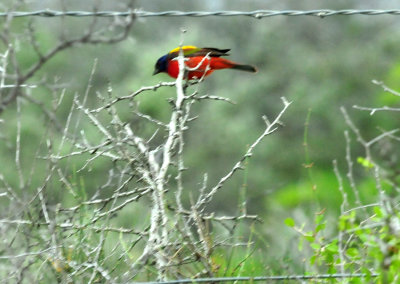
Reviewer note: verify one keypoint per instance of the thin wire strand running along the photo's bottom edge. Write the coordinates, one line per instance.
(264, 278)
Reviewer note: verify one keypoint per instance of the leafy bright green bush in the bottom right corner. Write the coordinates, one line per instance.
(368, 245)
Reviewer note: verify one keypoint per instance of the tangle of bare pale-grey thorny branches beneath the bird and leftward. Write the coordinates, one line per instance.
(79, 238)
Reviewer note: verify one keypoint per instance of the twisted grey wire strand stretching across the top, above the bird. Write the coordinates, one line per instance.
(258, 14)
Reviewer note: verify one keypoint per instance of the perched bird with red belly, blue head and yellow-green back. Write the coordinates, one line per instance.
(200, 62)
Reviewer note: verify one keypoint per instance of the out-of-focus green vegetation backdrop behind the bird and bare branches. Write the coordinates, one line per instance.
(318, 64)
